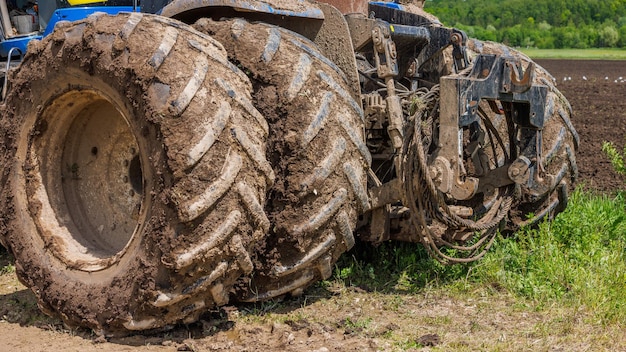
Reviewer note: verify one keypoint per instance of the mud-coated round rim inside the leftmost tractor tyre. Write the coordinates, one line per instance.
(91, 171)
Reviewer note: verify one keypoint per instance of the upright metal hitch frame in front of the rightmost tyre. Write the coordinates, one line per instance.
(492, 78)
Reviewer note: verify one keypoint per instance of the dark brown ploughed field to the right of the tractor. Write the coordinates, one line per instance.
(599, 115)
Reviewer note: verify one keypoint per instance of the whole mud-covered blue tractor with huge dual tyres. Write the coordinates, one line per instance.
(165, 158)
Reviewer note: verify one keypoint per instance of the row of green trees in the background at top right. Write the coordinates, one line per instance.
(545, 24)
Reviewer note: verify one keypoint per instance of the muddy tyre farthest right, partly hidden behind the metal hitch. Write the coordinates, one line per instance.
(560, 142)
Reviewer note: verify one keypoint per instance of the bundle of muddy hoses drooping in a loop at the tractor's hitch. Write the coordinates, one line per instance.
(427, 204)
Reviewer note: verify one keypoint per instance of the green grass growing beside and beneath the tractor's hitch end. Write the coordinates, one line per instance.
(577, 260)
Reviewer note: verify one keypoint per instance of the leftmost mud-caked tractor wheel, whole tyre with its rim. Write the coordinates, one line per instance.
(134, 173)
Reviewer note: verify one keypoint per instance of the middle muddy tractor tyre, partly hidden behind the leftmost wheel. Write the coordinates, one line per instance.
(317, 149)
